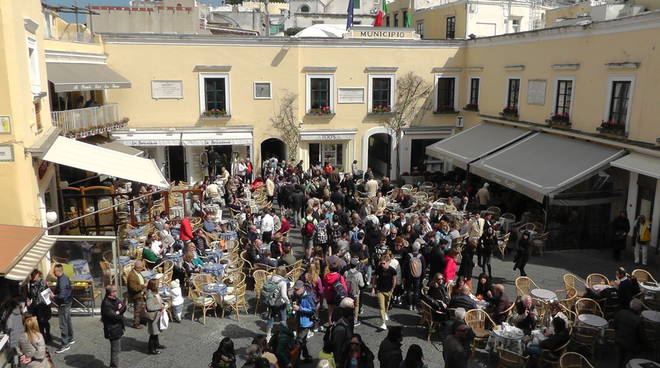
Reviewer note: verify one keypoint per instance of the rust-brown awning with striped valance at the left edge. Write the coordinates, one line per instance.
(23, 248)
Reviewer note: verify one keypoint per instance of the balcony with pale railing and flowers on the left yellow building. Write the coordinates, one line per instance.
(80, 123)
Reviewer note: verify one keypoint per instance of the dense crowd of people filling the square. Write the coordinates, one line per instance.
(361, 237)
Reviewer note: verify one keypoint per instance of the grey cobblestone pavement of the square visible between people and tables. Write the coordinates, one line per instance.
(191, 344)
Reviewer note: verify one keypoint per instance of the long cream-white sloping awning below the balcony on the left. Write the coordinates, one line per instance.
(70, 152)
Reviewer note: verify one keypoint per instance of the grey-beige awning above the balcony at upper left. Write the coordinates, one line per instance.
(69, 77)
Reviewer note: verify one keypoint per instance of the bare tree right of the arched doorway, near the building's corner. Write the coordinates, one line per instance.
(412, 101)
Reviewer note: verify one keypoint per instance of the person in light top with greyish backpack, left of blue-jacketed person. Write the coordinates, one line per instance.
(275, 296)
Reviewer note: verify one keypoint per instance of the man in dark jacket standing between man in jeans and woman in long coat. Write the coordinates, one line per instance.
(112, 315)
